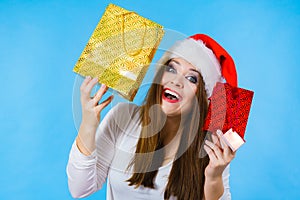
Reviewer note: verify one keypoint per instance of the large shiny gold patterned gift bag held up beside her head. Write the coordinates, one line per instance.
(120, 50)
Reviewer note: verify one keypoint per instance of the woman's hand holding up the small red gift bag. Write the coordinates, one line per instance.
(220, 155)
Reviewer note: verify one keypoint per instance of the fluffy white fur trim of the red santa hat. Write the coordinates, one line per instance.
(196, 53)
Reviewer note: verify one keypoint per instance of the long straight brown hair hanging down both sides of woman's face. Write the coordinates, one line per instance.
(186, 179)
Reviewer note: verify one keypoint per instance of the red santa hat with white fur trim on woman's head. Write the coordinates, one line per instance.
(210, 58)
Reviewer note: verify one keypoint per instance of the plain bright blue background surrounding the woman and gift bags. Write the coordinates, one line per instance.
(41, 41)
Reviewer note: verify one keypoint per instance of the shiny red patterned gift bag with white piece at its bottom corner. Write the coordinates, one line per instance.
(228, 111)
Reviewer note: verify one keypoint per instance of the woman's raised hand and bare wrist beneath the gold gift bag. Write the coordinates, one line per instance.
(91, 110)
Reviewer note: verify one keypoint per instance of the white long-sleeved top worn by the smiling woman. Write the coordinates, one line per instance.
(116, 139)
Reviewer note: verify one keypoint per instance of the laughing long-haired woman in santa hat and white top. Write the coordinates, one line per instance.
(158, 150)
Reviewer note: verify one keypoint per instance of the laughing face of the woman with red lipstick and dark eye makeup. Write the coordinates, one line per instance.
(179, 82)
